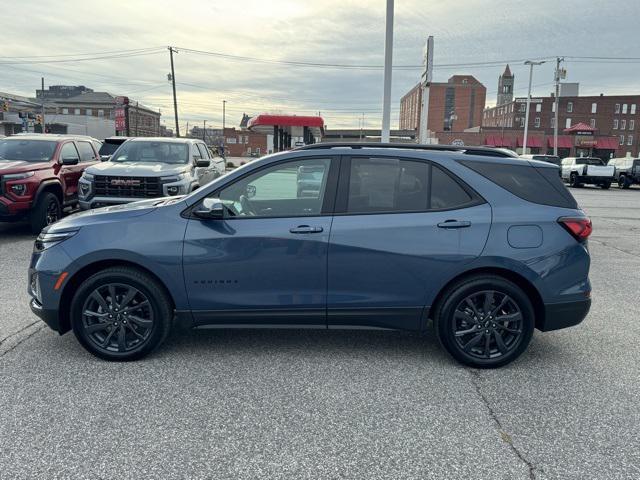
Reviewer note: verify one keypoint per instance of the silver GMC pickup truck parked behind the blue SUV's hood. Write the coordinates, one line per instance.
(149, 168)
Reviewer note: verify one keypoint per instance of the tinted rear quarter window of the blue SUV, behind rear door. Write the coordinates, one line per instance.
(540, 185)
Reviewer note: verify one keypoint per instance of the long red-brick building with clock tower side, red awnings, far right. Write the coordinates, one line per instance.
(610, 116)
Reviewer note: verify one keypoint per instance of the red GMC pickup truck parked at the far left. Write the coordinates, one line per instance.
(39, 175)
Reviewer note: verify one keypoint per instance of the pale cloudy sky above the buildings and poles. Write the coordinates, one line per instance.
(50, 37)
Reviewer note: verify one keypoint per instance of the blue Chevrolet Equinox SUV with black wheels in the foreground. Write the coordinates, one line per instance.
(483, 246)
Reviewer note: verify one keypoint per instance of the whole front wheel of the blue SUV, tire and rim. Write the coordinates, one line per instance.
(112, 331)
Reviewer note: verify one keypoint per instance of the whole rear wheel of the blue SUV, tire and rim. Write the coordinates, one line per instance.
(453, 317)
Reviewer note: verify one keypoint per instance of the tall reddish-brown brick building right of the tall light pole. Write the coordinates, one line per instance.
(455, 105)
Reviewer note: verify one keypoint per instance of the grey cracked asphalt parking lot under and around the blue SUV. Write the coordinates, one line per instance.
(327, 404)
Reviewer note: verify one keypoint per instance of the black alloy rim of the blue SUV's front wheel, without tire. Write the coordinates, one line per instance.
(117, 317)
